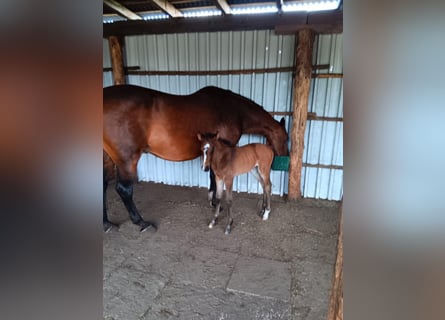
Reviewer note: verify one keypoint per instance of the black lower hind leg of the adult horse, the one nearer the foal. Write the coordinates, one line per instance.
(124, 187)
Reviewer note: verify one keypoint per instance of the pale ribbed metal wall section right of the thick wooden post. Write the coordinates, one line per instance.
(324, 139)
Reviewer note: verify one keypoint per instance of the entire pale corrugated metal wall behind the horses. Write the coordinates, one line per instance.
(236, 51)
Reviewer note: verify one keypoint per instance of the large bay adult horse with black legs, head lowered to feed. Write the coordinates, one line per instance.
(138, 120)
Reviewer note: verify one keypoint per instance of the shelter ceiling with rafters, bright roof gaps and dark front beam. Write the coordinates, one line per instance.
(127, 17)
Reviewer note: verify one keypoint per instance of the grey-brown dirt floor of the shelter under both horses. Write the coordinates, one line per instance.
(276, 269)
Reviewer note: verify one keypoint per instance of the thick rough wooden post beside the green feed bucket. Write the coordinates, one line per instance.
(302, 86)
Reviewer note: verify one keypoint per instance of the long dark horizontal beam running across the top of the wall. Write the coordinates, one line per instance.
(284, 23)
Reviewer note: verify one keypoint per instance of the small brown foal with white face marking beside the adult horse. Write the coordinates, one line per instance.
(228, 161)
